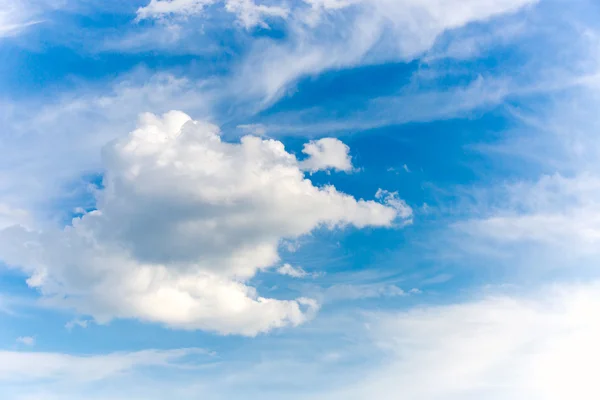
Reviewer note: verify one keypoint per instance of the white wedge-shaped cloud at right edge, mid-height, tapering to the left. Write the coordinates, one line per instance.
(554, 210)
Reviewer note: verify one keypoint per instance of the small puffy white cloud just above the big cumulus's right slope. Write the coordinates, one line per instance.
(325, 154)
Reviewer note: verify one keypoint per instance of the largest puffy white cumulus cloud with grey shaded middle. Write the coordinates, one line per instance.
(183, 222)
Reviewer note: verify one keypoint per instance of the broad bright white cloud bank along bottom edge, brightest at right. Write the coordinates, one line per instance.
(540, 345)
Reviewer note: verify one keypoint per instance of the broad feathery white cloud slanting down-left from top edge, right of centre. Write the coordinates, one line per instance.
(398, 30)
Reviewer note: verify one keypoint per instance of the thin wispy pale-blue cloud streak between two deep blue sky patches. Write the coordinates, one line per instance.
(411, 103)
